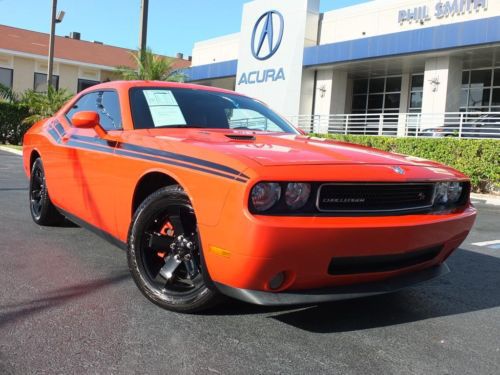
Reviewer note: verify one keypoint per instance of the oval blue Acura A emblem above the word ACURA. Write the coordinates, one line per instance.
(267, 35)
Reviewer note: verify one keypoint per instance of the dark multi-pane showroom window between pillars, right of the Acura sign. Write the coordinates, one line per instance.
(376, 95)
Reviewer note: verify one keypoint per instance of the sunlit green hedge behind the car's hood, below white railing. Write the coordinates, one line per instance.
(477, 158)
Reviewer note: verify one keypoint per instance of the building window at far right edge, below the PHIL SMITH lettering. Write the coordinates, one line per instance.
(480, 90)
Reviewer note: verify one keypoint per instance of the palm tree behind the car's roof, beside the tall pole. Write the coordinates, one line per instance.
(151, 67)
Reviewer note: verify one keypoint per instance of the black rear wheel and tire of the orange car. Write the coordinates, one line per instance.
(42, 210)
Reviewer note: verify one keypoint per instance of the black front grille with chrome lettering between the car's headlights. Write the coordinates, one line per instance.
(374, 197)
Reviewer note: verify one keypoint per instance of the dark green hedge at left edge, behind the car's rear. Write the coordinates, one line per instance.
(11, 127)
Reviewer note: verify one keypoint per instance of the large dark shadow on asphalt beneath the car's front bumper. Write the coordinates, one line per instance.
(472, 285)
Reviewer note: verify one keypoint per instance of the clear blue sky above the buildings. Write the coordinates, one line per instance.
(174, 25)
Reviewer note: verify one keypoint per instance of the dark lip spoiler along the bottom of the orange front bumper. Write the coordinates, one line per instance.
(338, 293)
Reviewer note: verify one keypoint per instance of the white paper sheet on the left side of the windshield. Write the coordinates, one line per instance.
(164, 108)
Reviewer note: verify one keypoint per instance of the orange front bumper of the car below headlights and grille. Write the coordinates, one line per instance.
(246, 252)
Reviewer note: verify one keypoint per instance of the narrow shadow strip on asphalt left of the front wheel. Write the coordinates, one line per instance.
(18, 311)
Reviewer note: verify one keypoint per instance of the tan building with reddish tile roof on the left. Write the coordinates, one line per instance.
(78, 63)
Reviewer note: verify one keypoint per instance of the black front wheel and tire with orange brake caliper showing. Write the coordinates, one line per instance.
(165, 256)
